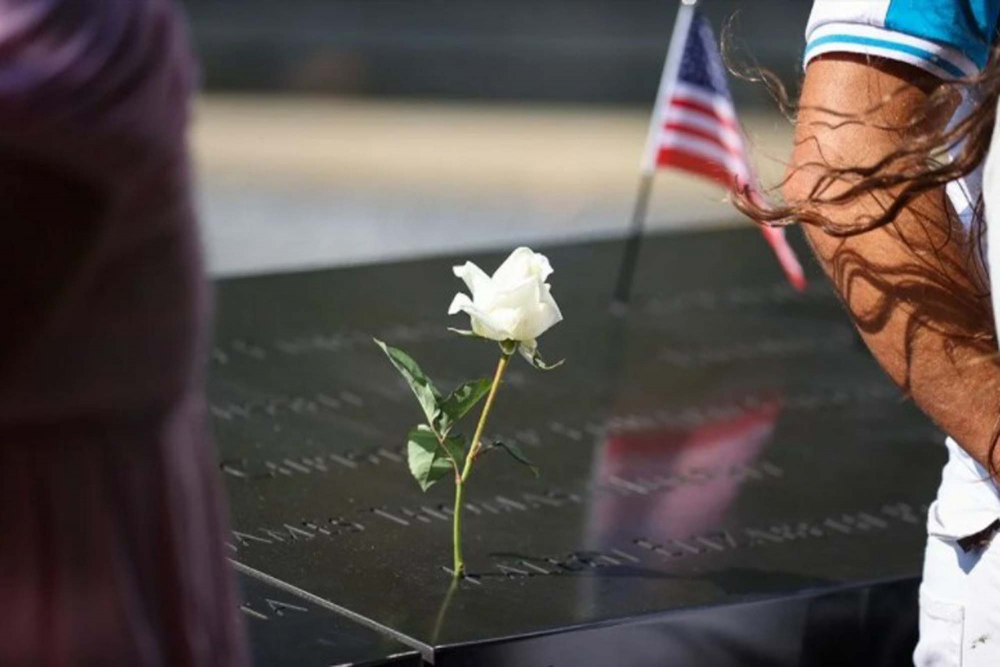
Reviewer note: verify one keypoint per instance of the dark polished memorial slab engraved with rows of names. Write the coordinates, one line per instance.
(727, 445)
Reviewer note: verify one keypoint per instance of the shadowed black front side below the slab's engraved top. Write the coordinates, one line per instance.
(870, 626)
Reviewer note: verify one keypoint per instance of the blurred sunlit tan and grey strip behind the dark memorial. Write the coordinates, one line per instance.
(303, 182)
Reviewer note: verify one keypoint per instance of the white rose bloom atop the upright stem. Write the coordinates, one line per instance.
(515, 304)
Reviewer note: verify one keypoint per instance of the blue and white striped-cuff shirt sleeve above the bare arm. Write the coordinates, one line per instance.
(948, 38)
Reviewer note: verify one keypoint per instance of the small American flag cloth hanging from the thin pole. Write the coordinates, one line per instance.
(694, 126)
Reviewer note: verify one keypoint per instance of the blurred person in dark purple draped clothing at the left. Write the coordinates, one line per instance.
(111, 530)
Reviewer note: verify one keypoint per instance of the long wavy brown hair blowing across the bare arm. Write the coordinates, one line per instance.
(931, 155)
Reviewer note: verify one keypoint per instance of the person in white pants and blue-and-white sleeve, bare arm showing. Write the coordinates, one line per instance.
(895, 120)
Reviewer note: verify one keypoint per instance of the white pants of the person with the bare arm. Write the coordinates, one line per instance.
(960, 592)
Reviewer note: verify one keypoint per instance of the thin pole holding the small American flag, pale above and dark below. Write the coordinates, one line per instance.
(671, 65)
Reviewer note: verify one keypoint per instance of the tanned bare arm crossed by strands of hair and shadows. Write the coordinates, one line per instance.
(912, 287)
